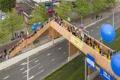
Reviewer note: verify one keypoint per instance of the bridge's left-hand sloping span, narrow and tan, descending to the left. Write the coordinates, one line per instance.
(24, 42)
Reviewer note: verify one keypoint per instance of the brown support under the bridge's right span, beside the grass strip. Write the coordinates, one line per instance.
(73, 51)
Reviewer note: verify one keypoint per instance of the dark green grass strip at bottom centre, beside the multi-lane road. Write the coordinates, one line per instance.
(73, 70)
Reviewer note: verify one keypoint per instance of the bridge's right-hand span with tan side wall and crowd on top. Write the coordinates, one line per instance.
(85, 44)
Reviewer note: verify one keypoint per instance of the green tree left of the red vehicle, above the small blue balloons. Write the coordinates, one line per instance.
(39, 14)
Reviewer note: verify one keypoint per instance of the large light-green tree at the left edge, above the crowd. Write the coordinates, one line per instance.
(13, 22)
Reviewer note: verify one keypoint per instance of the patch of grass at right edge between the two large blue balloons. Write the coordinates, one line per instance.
(116, 43)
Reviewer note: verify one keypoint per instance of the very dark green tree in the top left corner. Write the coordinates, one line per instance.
(7, 5)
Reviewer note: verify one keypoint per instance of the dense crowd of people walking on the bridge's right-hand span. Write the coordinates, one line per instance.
(95, 44)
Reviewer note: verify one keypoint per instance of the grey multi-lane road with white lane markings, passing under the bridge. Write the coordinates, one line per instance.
(40, 64)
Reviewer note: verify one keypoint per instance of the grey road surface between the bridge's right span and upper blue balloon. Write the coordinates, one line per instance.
(94, 29)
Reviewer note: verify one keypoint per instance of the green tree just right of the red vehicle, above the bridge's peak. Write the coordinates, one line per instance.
(64, 9)
